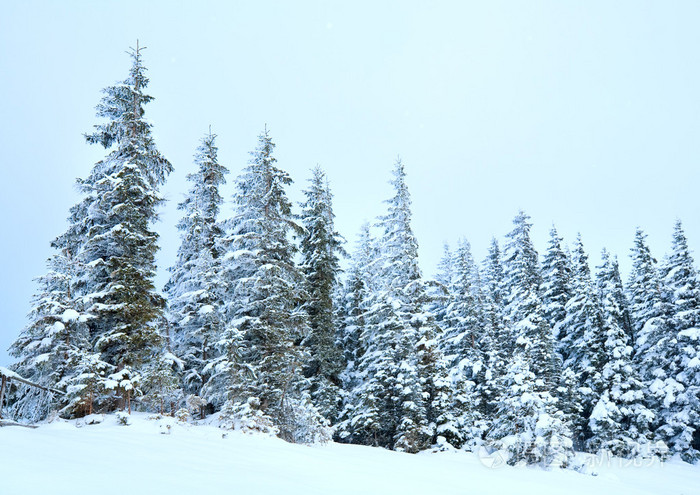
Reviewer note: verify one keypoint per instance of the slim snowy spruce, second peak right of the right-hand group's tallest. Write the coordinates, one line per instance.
(583, 338)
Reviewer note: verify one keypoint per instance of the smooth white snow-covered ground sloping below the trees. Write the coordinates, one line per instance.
(107, 458)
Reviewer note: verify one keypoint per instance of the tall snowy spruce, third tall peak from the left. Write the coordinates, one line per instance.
(264, 293)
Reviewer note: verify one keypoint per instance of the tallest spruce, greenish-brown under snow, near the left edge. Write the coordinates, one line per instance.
(110, 233)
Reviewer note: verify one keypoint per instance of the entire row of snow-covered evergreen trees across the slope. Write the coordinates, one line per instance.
(533, 358)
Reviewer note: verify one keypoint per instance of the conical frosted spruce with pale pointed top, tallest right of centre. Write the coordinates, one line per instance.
(400, 398)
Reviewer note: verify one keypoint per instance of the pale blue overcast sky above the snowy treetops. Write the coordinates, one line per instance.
(584, 114)
